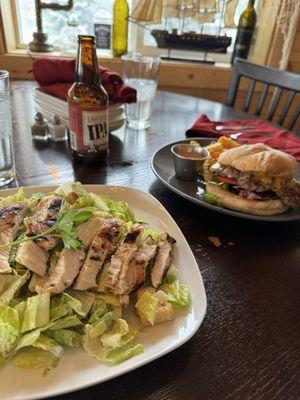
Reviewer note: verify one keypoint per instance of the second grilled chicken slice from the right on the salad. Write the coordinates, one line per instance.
(137, 268)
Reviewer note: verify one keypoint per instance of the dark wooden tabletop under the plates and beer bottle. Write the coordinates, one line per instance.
(248, 345)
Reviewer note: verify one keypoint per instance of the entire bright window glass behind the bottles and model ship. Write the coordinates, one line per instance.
(63, 27)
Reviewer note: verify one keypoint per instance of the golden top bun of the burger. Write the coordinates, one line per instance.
(259, 158)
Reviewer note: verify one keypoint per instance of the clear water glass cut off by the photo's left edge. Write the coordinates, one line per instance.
(7, 171)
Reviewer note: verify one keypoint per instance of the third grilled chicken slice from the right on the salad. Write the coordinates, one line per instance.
(119, 264)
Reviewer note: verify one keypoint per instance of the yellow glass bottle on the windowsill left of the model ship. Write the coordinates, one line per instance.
(120, 27)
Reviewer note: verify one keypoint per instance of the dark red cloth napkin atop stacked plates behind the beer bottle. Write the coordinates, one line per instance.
(55, 76)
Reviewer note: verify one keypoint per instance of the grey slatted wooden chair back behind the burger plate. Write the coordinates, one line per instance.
(281, 80)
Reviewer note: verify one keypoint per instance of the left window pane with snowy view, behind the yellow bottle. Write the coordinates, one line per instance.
(55, 23)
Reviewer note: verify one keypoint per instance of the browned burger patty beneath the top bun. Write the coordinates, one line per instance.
(289, 193)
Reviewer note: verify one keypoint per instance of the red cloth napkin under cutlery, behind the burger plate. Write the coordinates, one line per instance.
(263, 132)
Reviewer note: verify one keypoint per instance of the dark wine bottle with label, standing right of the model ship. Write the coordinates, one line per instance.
(245, 32)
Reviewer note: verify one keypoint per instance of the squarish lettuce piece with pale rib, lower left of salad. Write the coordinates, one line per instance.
(34, 312)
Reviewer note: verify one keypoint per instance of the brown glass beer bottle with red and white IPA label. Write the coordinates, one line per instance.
(88, 106)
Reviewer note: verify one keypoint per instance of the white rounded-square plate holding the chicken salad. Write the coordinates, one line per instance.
(76, 369)
